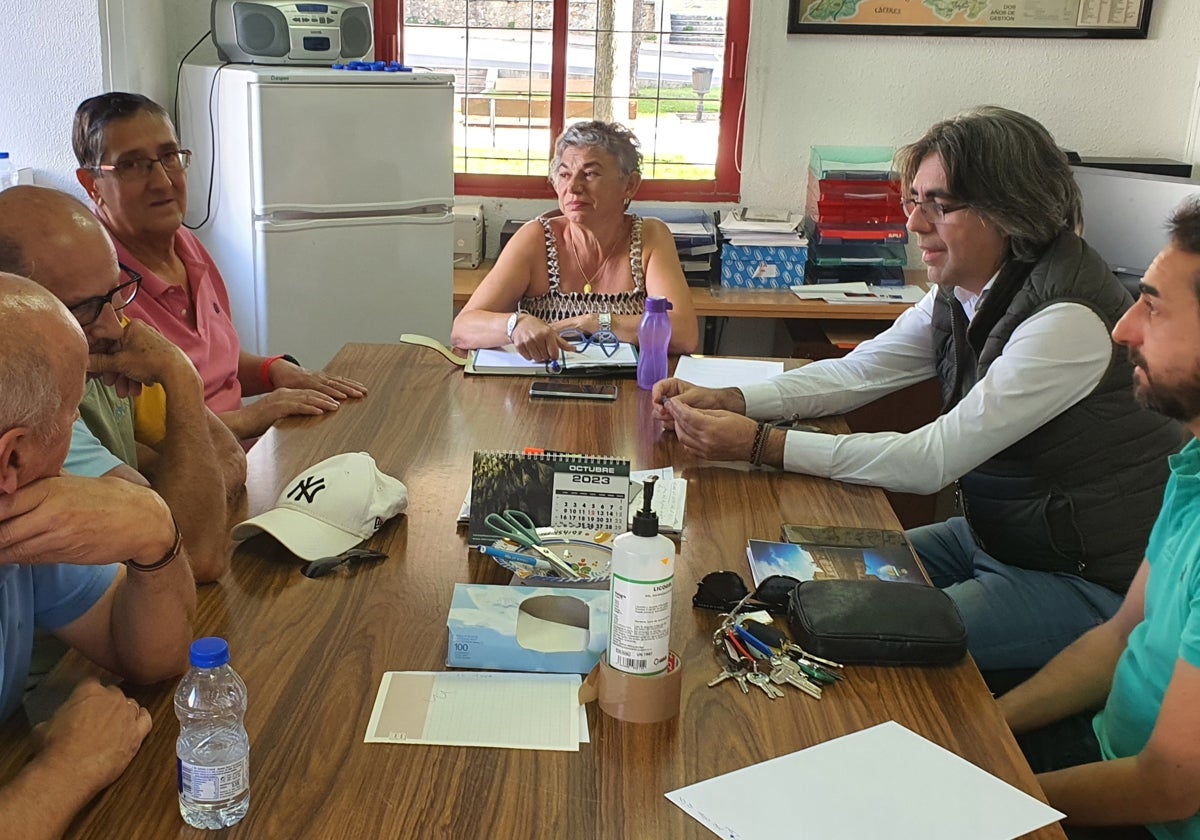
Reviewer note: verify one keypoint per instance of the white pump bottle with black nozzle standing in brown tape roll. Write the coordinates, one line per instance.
(643, 575)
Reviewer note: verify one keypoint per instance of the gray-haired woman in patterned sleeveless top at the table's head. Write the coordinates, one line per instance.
(585, 265)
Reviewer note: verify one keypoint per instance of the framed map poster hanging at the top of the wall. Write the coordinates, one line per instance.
(989, 19)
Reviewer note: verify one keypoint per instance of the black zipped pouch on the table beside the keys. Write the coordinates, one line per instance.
(877, 623)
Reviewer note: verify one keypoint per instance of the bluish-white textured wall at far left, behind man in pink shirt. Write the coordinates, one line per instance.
(51, 62)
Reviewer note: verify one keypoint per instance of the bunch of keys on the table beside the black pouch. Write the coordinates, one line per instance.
(746, 646)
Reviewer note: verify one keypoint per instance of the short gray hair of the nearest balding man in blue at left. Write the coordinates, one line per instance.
(29, 379)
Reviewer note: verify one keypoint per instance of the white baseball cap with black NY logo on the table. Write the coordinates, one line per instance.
(331, 507)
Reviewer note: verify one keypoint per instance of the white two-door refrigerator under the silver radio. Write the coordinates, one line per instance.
(326, 199)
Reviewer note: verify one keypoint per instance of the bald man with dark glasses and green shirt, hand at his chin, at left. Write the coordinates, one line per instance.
(196, 465)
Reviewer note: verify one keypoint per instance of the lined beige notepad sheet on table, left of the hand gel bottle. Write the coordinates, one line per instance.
(481, 709)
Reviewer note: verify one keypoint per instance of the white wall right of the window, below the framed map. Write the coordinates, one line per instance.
(1099, 98)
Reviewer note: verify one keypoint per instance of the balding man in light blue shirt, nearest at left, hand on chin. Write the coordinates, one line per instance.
(98, 562)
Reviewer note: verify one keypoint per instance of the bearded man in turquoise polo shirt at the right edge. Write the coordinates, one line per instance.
(1137, 763)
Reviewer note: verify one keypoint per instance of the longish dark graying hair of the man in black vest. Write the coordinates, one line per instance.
(1009, 169)
